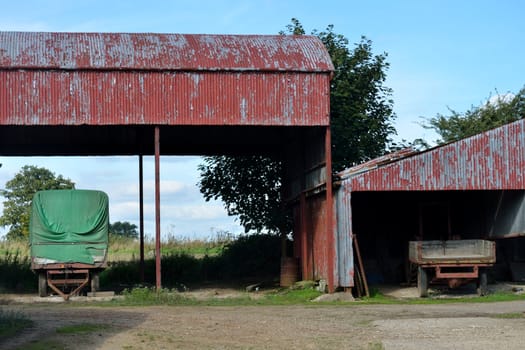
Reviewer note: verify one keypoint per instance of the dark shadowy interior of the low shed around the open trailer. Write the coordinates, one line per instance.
(385, 222)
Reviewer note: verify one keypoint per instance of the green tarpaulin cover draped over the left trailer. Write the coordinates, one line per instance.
(69, 226)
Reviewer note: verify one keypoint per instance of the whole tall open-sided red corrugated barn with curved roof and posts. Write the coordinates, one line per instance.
(174, 94)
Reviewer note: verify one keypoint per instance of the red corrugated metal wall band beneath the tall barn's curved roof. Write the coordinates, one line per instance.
(167, 98)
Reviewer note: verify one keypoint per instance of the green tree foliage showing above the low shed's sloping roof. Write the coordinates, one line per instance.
(497, 111)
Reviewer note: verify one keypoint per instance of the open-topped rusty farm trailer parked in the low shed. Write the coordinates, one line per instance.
(455, 261)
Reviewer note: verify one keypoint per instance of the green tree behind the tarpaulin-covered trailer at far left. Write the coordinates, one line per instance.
(18, 194)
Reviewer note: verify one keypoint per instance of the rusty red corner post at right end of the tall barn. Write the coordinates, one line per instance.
(330, 241)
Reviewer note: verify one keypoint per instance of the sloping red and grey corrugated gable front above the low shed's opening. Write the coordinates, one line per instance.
(493, 160)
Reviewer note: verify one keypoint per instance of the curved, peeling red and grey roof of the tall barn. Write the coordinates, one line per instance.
(189, 52)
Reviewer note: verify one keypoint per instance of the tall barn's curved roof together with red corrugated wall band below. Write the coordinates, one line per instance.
(163, 79)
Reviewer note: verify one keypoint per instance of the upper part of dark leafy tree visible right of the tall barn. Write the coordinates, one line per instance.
(361, 108)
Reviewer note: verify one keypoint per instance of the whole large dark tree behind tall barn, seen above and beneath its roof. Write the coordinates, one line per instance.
(361, 117)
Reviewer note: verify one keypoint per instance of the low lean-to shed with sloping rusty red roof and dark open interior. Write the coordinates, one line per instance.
(472, 188)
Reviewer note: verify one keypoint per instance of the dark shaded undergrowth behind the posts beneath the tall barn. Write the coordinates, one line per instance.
(247, 258)
